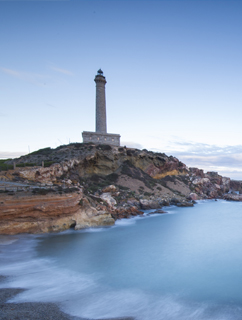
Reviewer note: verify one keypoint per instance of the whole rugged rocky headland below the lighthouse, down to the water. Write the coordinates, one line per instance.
(110, 182)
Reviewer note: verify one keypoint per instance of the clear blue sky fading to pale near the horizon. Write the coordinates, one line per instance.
(173, 71)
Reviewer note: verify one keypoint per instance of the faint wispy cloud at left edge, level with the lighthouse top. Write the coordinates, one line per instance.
(33, 78)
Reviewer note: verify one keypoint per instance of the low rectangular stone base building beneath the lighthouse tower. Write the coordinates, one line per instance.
(101, 138)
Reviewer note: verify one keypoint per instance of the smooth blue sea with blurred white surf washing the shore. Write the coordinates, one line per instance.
(184, 264)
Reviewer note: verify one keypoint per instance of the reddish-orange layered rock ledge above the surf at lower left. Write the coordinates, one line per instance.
(24, 212)
